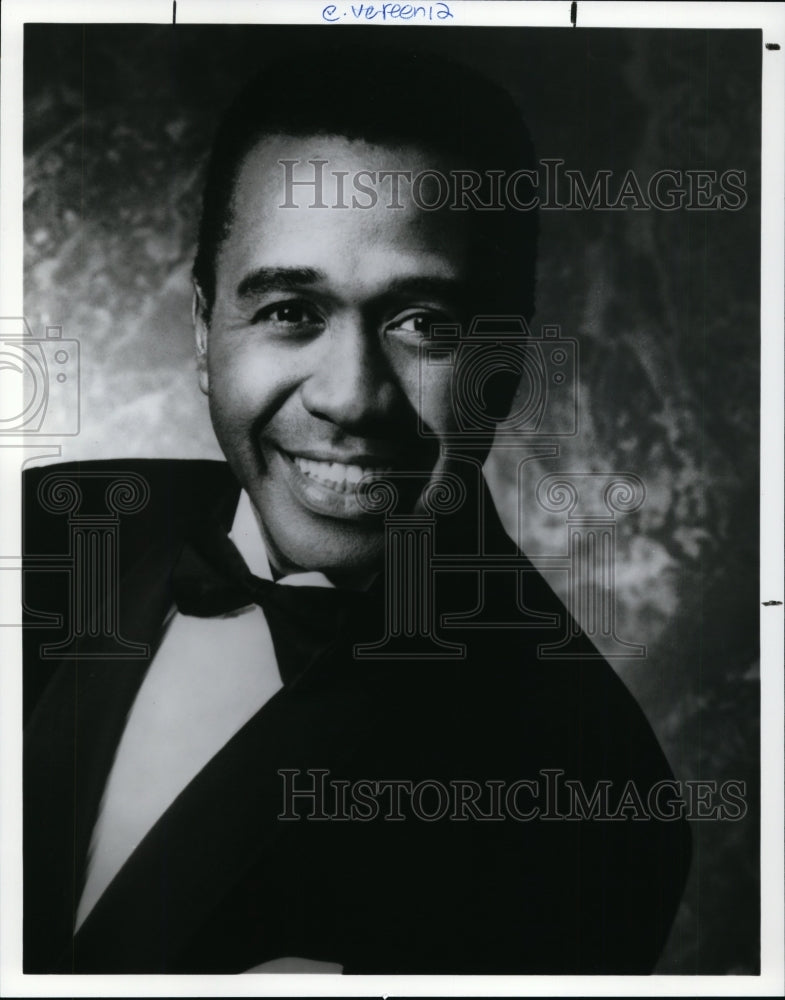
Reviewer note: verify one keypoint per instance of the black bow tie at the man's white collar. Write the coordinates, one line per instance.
(211, 578)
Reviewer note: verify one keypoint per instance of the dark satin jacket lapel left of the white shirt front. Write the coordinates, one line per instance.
(69, 748)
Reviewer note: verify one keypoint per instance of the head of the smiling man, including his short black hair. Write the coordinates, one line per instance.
(322, 267)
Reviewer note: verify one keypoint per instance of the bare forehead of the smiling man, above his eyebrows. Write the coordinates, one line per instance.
(308, 200)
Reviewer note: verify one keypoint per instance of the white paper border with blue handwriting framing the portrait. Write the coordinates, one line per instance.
(770, 18)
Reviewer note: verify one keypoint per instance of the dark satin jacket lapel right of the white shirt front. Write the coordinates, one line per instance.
(228, 817)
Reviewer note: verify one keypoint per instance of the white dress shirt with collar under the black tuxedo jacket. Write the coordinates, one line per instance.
(208, 678)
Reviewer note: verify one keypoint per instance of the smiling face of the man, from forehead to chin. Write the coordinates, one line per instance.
(311, 357)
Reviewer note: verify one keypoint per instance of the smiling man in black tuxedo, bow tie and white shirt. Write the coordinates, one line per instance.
(176, 818)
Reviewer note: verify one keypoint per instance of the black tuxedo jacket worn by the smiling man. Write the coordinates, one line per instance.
(221, 883)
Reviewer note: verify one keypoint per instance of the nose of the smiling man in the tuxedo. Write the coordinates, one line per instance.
(352, 384)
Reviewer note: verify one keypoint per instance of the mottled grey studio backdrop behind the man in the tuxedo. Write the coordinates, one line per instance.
(664, 306)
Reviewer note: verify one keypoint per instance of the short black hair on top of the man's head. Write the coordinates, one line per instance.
(387, 94)
